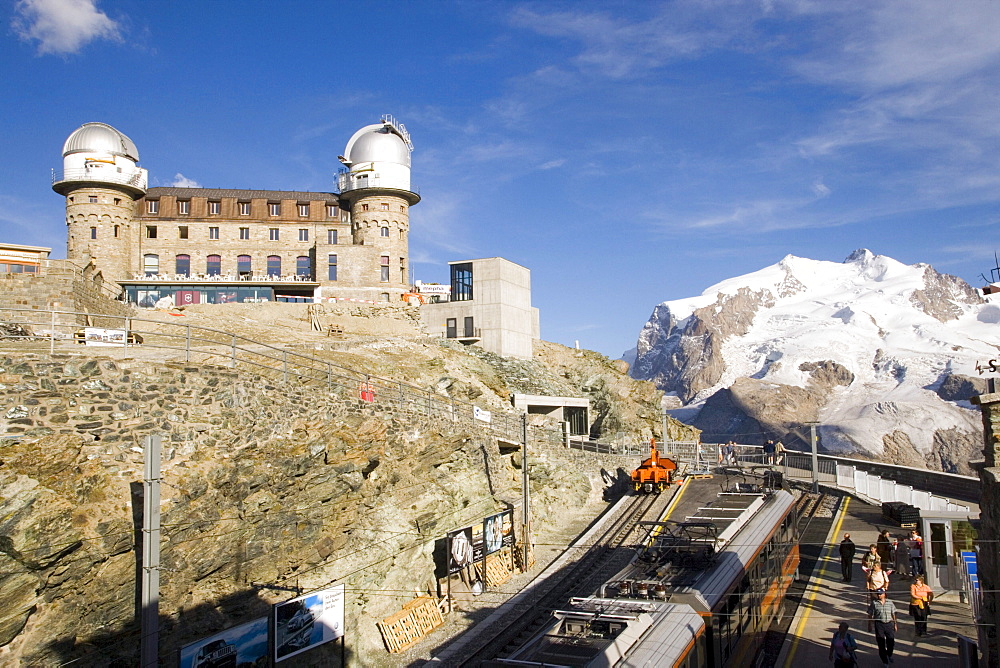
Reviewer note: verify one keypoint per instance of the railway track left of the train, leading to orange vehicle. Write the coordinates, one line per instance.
(603, 555)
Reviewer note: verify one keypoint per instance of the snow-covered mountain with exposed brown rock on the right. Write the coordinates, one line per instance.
(881, 354)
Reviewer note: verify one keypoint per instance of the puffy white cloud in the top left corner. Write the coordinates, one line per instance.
(63, 26)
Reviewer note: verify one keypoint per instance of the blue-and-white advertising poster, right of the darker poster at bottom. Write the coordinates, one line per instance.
(307, 621)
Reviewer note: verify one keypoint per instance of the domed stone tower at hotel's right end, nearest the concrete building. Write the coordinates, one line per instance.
(376, 187)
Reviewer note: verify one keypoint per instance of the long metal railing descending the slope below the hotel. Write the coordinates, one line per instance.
(43, 331)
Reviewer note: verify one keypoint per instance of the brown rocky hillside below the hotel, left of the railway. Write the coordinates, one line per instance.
(268, 488)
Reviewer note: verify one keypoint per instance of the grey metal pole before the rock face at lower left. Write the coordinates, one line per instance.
(150, 552)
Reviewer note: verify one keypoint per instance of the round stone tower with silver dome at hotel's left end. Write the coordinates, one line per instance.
(101, 181)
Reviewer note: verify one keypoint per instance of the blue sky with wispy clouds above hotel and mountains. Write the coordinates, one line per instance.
(626, 152)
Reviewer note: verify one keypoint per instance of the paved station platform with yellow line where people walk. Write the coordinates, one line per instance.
(828, 600)
